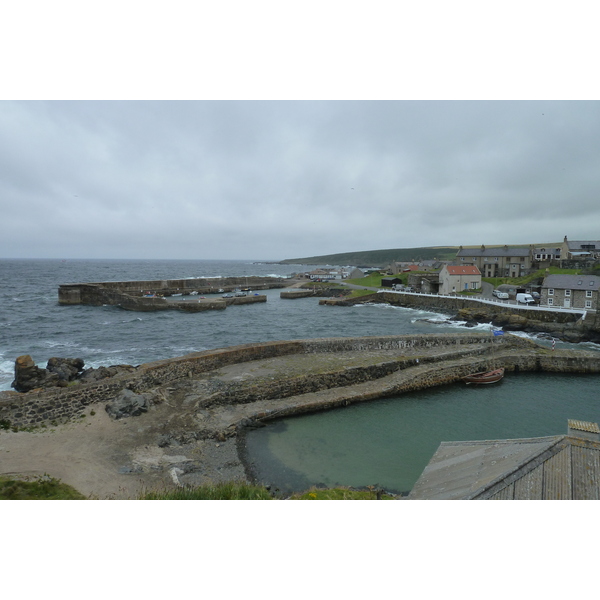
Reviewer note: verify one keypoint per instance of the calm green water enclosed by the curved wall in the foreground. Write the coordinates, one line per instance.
(387, 443)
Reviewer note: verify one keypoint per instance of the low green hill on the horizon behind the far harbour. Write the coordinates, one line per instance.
(377, 258)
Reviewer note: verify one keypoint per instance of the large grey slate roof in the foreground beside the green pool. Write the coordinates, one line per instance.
(564, 467)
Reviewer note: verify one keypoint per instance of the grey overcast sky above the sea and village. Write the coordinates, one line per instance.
(286, 179)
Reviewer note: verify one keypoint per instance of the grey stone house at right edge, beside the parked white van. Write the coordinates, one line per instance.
(571, 291)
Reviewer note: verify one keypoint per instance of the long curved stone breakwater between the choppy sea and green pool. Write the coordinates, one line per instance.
(335, 367)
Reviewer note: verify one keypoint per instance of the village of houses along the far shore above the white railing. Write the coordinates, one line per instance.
(564, 274)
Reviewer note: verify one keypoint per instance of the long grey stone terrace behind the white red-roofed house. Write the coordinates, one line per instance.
(496, 262)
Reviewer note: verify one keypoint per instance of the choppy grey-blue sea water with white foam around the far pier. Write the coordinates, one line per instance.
(32, 322)
